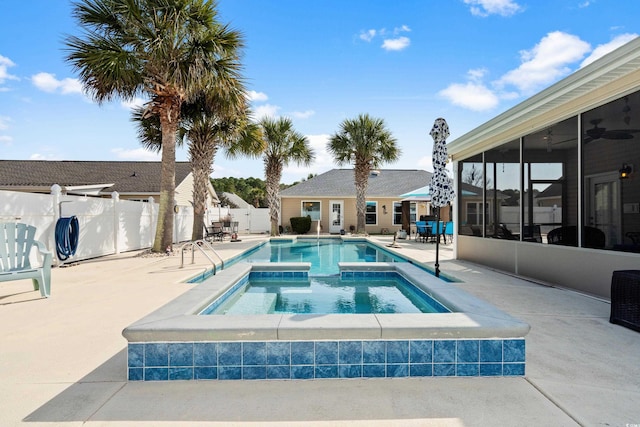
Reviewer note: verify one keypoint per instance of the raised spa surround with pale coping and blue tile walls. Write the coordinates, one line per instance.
(177, 343)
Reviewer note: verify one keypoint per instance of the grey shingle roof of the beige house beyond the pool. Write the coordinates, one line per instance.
(341, 183)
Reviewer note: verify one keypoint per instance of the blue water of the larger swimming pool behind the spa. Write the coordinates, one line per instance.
(323, 254)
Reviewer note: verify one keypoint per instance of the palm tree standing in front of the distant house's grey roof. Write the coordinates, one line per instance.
(365, 142)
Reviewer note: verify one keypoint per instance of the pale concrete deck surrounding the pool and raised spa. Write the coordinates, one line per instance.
(63, 359)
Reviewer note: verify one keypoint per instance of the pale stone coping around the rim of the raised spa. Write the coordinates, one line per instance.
(178, 321)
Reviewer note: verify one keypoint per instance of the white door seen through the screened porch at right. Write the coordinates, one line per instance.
(604, 206)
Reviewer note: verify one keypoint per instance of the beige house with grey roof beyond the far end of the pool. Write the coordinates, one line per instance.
(330, 200)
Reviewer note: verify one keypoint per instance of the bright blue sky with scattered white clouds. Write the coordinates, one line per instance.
(320, 62)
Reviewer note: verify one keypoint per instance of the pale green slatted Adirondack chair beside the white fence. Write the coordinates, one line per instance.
(16, 242)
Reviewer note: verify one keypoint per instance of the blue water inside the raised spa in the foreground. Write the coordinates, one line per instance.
(385, 293)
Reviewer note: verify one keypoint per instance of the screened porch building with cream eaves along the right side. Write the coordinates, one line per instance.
(572, 154)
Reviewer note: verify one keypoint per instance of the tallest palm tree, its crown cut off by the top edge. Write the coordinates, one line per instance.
(168, 50)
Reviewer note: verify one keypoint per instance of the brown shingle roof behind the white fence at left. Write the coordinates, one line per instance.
(76, 176)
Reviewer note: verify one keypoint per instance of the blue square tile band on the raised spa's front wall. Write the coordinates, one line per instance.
(252, 360)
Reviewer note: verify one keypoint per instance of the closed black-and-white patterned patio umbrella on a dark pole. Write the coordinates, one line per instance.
(441, 186)
